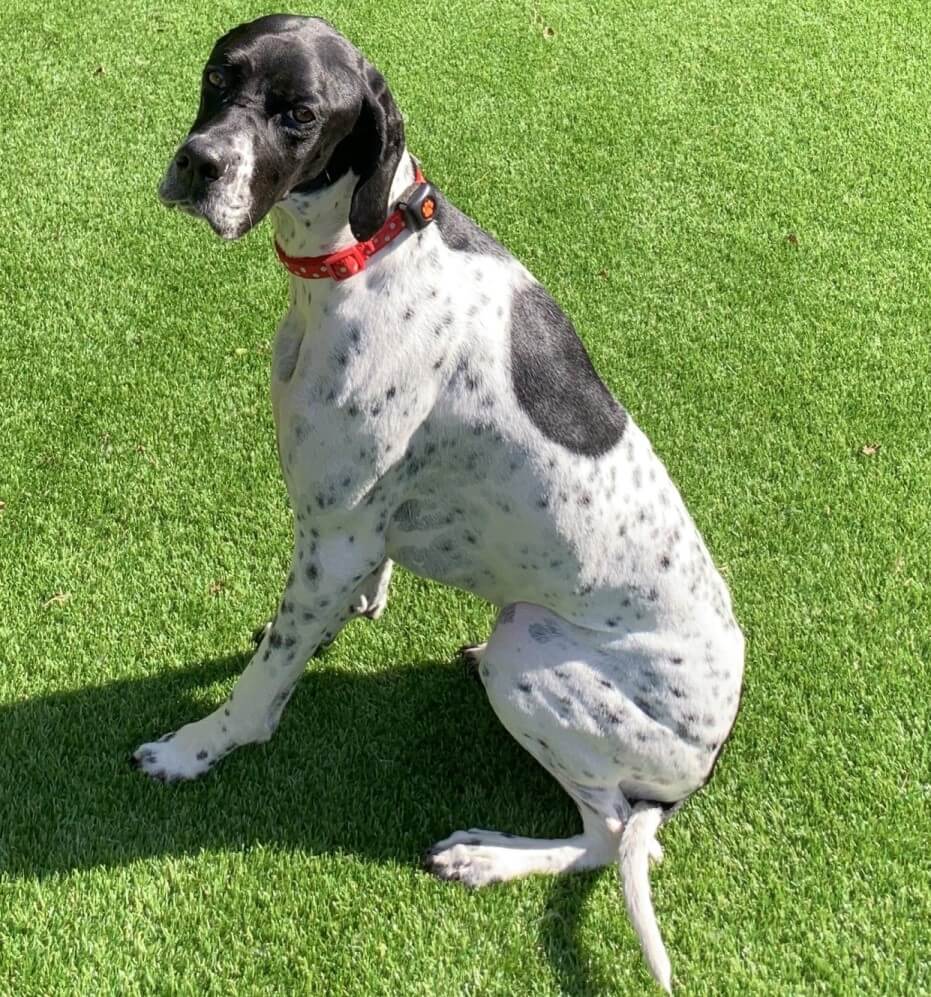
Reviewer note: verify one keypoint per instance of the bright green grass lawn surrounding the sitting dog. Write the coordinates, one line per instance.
(648, 161)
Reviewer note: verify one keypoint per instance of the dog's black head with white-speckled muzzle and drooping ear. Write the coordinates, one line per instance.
(286, 105)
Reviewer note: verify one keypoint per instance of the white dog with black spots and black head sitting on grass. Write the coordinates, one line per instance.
(438, 409)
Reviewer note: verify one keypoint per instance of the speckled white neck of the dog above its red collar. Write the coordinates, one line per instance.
(317, 223)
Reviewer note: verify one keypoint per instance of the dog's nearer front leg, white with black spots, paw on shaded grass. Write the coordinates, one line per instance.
(329, 575)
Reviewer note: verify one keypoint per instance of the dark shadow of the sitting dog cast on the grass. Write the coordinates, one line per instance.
(381, 764)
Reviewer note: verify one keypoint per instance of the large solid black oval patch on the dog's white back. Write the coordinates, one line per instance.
(554, 380)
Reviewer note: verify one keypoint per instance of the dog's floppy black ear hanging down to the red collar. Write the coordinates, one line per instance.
(378, 141)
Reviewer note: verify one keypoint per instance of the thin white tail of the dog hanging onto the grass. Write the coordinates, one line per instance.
(639, 845)
